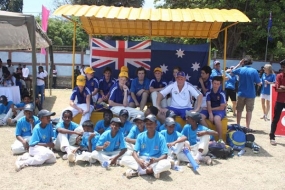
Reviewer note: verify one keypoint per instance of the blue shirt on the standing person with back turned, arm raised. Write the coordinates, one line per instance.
(247, 77)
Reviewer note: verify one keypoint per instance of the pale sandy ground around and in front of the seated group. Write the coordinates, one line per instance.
(250, 171)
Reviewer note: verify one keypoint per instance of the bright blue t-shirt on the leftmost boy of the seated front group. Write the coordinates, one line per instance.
(23, 127)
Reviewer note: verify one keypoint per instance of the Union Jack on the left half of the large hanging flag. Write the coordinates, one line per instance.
(120, 53)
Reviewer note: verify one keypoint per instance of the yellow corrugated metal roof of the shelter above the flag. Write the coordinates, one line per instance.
(191, 23)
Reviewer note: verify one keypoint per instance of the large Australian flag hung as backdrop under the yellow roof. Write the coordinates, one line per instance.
(148, 54)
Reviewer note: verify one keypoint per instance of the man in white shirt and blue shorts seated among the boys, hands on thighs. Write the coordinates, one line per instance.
(181, 94)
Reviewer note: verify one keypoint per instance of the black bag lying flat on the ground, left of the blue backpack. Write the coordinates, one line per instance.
(220, 150)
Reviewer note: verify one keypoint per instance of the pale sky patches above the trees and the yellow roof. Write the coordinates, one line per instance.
(35, 6)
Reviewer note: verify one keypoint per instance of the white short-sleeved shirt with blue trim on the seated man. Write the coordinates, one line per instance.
(183, 98)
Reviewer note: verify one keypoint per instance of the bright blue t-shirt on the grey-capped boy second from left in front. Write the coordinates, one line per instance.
(41, 135)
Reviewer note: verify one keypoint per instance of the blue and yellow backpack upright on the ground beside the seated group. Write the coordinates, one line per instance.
(236, 137)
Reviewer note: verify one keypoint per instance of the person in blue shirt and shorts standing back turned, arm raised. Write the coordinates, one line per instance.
(248, 76)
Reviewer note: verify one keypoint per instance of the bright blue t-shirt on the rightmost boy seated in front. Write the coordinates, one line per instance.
(192, 135)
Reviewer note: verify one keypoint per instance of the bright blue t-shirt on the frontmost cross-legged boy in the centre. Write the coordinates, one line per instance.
(154, 147)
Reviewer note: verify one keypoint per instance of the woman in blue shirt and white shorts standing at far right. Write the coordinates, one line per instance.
(267, 78)
